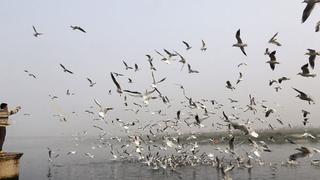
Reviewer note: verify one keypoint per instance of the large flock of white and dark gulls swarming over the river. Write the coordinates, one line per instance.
(166, 136)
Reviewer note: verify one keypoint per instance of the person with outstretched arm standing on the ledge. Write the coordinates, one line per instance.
(4, 115)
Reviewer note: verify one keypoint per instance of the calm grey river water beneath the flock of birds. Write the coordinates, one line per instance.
(35, 164)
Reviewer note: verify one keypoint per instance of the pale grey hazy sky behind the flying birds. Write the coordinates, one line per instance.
(127, 30)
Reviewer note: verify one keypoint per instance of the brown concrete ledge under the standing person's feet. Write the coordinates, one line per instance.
(9, 165)
